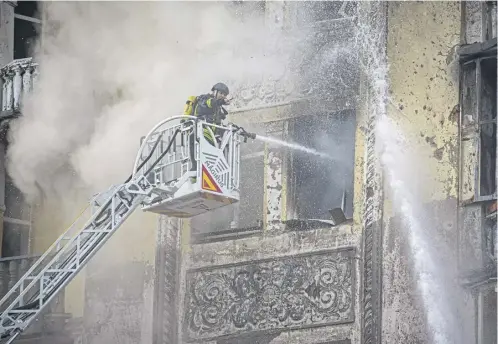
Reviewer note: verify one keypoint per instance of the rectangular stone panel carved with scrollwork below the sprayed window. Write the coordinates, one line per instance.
(290, 292)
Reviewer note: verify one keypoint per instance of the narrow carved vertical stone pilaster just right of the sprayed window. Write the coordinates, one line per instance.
(373, 40)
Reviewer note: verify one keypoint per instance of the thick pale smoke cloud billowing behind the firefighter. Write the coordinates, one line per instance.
(109, 71)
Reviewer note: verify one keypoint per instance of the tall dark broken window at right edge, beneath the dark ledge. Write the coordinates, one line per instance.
(479, 113)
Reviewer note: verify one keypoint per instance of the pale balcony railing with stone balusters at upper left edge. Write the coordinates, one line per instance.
(18, 78)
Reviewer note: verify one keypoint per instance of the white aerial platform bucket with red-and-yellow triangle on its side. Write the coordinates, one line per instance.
(193, 175)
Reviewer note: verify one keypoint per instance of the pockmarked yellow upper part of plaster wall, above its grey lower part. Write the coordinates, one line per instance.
(423, 74)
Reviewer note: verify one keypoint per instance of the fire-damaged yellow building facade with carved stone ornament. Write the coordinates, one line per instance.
(317, 249)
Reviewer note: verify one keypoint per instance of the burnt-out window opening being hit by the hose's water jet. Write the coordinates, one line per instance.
(318, 184)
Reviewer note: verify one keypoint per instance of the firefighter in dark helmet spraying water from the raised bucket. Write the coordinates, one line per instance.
(208, 107)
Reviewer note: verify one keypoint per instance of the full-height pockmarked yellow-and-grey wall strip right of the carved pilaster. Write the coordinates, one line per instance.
(423, 74)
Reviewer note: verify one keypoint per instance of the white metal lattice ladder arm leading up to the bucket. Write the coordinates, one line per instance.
(62, 261)
